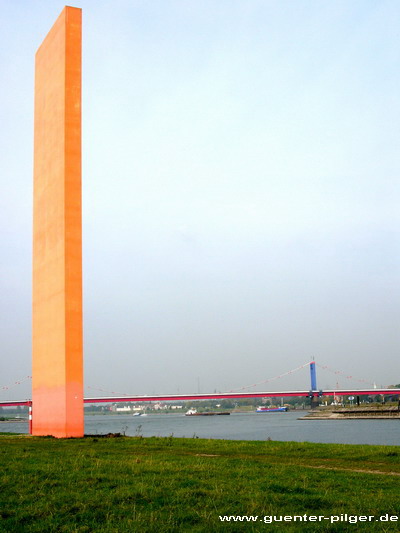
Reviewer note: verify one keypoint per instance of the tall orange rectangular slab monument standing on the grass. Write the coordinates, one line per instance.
(57, 353)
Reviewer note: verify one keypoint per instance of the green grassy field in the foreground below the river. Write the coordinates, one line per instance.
(130, 484)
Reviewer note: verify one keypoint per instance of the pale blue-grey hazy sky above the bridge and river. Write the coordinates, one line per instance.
(240, 191)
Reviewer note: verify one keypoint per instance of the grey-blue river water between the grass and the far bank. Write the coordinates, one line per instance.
(241, 426)
